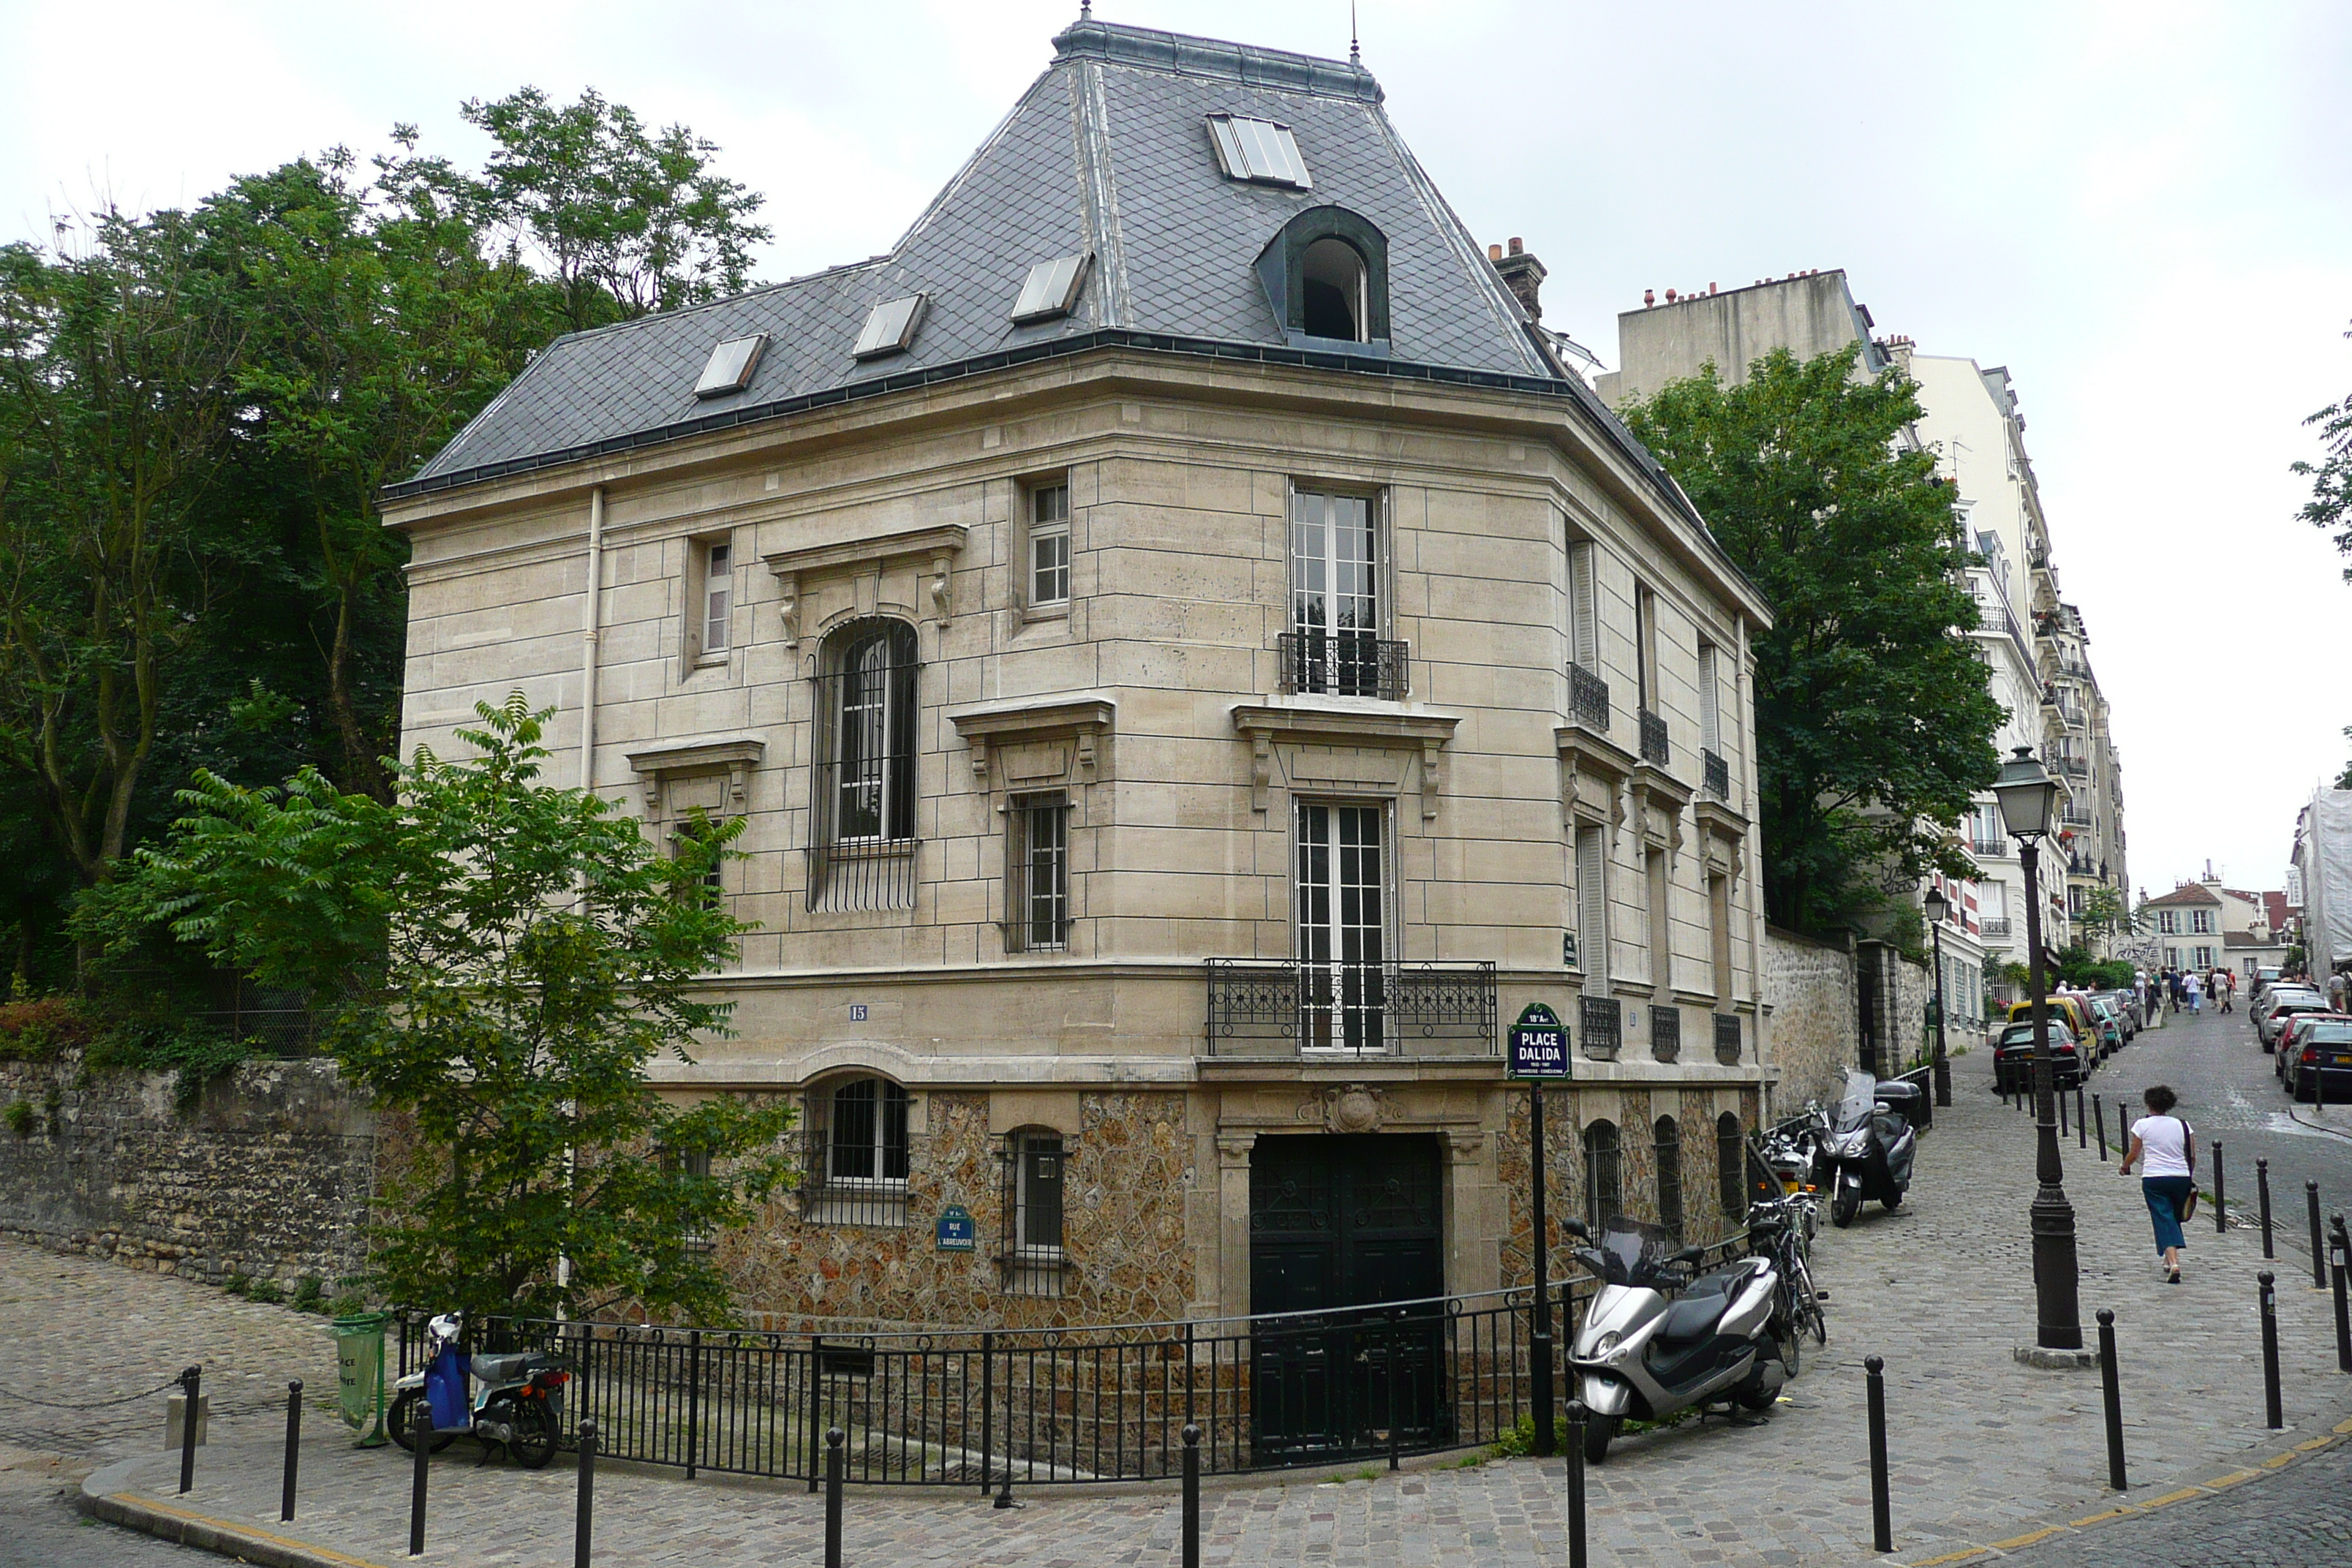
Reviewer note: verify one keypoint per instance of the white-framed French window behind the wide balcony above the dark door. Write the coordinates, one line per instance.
(1342, 899)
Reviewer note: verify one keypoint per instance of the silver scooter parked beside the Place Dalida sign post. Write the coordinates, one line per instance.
(1657, 1341)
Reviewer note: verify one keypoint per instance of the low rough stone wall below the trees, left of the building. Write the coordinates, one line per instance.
(269, 1177)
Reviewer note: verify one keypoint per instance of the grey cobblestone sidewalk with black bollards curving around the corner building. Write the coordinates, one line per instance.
(1986, 1452)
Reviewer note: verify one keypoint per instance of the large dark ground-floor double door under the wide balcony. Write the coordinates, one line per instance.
(1337, 1228)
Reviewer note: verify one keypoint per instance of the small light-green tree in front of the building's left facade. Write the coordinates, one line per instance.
(502, 960)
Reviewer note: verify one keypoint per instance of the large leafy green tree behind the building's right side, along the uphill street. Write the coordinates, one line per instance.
(1873, 711)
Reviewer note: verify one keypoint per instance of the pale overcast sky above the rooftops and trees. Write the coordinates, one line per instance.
(2139, 208)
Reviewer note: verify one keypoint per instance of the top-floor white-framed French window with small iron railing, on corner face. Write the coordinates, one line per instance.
(1335, 641)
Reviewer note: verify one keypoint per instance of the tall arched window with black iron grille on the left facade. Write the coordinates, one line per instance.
(862, 845)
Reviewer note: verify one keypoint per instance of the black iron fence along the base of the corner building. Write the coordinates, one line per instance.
(1053, 1405)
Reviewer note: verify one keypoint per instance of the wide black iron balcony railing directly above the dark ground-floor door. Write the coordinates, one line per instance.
(1292, 1007)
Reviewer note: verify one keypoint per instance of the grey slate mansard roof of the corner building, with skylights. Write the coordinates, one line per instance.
(1107, 154)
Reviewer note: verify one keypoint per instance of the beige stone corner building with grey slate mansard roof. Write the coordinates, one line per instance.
(1191, 666)
